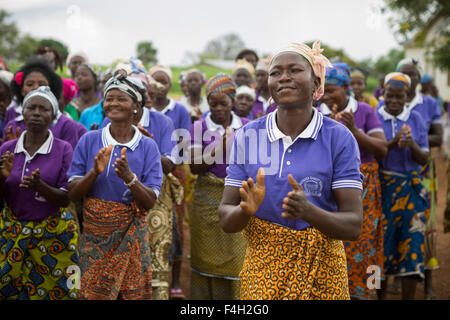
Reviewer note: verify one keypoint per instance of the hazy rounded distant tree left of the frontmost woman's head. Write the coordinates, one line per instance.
(224, 47)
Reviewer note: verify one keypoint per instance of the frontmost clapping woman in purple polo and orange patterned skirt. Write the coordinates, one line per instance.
(308, 190)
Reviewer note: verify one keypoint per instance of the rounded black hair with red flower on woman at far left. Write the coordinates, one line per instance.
(37, 65)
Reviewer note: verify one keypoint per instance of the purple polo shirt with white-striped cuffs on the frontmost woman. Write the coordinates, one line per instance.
(322, 158)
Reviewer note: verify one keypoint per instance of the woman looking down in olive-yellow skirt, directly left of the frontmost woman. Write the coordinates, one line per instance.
(216, 257)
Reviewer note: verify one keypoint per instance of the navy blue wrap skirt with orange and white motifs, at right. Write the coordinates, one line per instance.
(405, 211)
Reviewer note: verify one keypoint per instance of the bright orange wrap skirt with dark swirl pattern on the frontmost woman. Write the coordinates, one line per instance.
(282, 263)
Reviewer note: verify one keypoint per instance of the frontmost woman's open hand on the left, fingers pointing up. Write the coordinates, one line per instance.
(252, 194)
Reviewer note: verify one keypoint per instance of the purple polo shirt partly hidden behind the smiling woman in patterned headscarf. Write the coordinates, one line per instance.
(161, 127)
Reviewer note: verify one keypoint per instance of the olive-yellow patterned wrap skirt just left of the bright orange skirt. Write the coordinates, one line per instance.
(214, 253)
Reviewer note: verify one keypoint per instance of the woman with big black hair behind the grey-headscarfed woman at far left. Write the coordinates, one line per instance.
(35, 74)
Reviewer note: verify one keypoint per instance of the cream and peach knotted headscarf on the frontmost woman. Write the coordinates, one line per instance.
(315, 57)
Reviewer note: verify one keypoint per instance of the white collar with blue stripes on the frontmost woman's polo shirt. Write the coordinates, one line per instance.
(310, 132)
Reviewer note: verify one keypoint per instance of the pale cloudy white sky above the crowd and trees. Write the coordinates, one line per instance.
(107, 30)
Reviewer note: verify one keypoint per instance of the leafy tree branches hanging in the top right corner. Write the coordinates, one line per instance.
(413, 16)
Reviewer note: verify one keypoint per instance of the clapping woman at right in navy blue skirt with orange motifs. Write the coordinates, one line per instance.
(404, 198)
